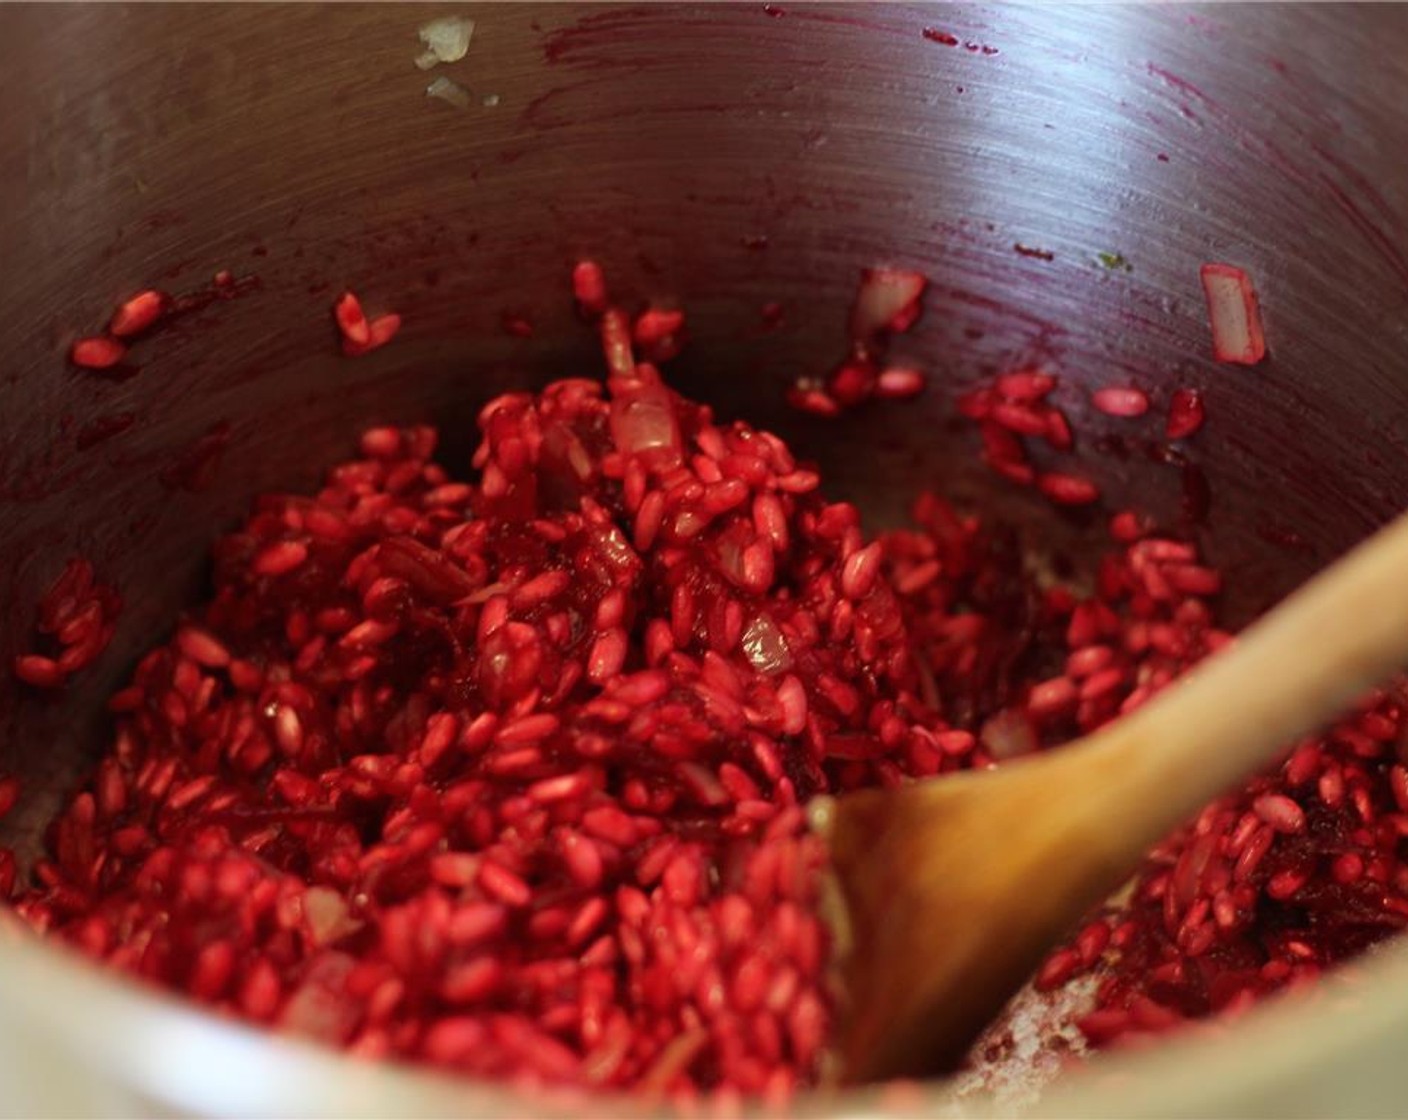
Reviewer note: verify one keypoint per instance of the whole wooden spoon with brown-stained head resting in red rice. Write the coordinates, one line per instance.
(953, 890)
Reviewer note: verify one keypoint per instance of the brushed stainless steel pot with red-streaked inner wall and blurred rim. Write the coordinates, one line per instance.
(1060, 174)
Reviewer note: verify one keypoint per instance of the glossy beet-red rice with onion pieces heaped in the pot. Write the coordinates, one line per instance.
(506, 776)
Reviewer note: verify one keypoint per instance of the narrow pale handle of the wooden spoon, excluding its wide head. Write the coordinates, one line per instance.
(1299, 667)
